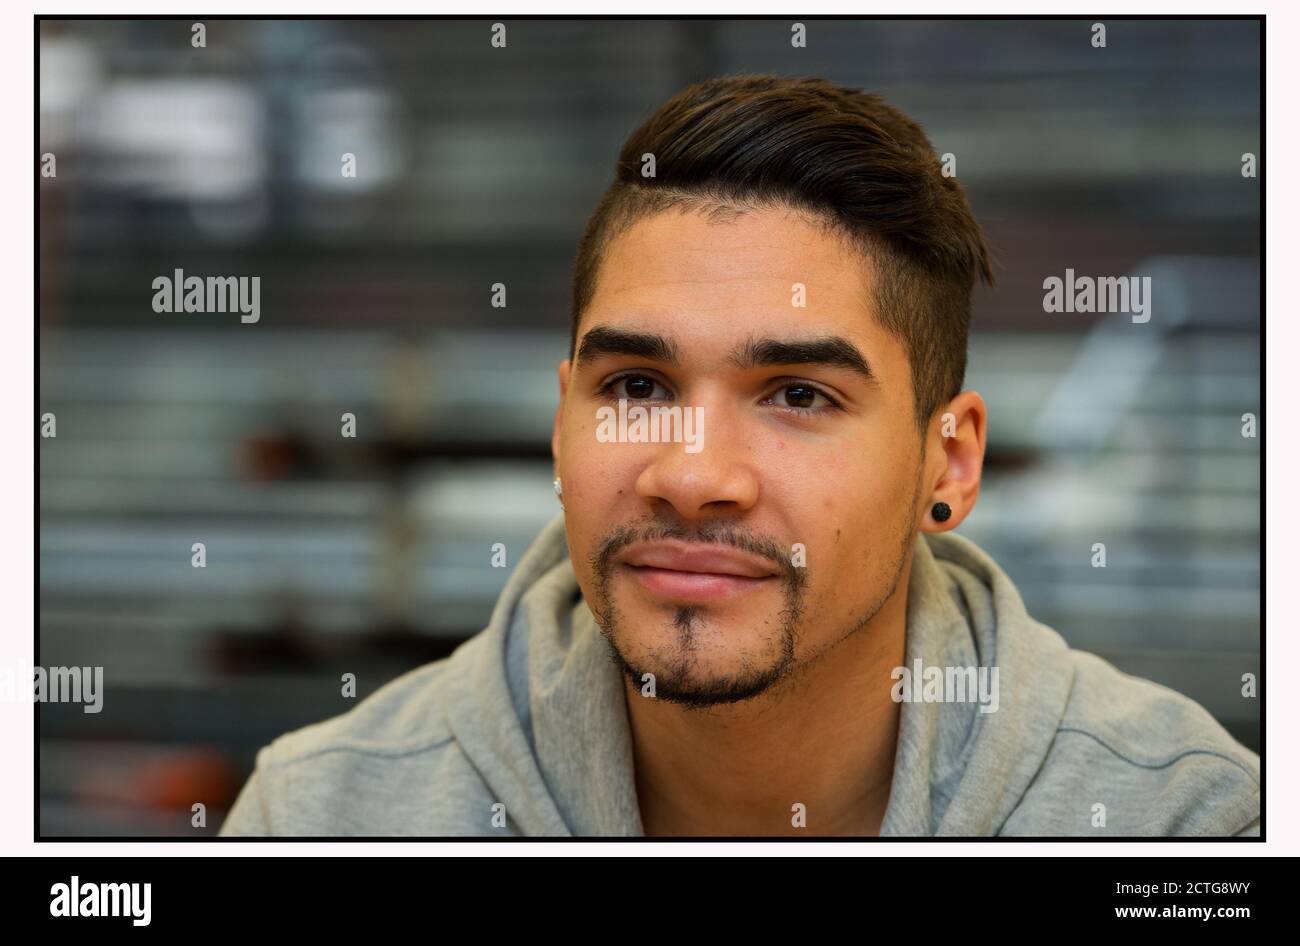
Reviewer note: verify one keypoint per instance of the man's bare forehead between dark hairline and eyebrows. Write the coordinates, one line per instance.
(709, 284)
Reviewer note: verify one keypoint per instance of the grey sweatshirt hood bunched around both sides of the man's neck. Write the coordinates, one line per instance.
(567, 767)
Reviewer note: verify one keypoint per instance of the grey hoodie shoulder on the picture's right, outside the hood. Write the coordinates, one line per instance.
(1134, 758)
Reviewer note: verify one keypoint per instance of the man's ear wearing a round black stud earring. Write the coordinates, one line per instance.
(955, 461)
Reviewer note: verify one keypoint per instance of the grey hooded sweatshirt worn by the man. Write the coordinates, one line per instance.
(523, 732)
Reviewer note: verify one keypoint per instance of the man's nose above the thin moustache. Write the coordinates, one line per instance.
(721, 479)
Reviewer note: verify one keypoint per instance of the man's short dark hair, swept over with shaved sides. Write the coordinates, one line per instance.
(859, 166)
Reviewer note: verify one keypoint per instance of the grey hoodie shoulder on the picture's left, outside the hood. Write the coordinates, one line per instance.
(388, 767)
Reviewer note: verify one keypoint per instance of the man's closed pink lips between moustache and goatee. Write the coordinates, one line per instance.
(690, 572)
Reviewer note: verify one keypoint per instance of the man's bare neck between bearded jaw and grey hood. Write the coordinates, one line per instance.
(825, 743)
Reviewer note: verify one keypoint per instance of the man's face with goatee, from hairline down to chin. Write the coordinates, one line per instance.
(722, 566)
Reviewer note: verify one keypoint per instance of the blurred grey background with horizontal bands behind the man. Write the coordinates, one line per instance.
(476, 166)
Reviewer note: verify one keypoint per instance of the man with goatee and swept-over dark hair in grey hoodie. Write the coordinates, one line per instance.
(753, 617)
